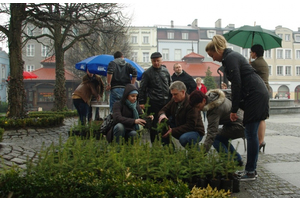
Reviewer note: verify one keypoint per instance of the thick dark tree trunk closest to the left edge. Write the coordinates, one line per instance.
(16, 91)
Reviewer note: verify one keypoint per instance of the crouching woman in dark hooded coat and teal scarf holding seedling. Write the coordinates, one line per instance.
(126, 115)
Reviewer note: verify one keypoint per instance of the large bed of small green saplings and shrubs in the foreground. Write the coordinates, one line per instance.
(94, 168)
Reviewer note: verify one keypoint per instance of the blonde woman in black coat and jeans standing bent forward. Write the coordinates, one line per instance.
(249, 93)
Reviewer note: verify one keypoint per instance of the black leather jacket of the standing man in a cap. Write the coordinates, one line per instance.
(155, 85)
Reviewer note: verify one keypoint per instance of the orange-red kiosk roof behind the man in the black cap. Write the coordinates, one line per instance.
(193, 69)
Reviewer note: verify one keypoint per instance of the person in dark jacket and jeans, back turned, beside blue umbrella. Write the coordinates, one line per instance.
(118, 75)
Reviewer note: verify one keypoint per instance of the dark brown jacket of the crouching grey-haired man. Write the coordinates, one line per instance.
(187, 118)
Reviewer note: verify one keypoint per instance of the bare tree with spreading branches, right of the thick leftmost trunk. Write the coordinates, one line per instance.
(69, 24)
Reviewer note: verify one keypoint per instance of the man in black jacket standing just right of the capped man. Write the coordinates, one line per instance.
(181, 75)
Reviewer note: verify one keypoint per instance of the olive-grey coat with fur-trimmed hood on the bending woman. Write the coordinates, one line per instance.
(218, 109)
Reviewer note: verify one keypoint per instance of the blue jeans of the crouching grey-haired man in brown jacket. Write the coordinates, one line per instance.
(190, 138)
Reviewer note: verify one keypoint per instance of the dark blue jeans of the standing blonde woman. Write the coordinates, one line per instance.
(251, 130)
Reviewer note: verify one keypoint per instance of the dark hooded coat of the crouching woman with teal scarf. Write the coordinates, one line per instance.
(122, 113)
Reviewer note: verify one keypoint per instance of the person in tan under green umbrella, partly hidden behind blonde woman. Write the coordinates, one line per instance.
(262, 69)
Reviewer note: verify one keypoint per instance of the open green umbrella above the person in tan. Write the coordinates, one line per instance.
(247, 36)
